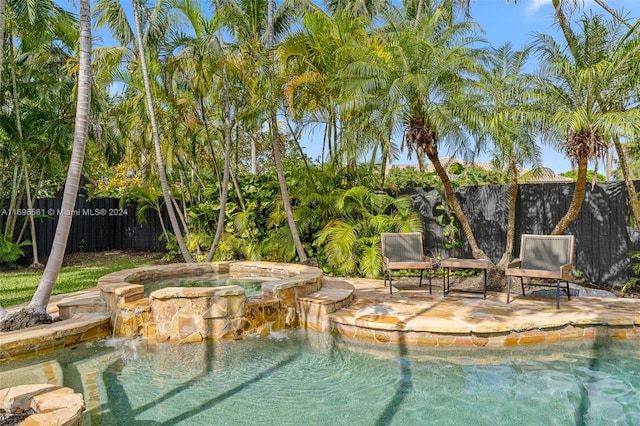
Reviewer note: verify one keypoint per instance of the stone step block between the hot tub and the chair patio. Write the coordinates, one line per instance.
(314, 308)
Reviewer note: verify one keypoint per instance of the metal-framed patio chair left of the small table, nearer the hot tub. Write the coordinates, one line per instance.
(404, 250)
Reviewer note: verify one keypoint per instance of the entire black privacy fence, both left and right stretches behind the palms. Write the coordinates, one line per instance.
(603, 232)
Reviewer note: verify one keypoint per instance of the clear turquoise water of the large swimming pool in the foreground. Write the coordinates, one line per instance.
(306, 378)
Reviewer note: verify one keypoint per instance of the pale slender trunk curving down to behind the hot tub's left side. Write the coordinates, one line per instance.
(175, 226)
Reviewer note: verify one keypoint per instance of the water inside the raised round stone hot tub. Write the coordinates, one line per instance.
(252, 285)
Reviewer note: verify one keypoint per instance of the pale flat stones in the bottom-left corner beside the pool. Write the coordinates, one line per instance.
(53, 405)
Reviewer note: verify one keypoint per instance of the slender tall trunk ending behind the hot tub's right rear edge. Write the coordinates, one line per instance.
(275, 141)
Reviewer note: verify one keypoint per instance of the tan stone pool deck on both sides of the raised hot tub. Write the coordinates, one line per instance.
(362, 308)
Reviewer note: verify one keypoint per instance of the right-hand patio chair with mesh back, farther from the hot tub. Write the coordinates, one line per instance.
(543, 256)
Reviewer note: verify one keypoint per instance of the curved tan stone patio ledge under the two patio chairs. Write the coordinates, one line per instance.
(415, 317)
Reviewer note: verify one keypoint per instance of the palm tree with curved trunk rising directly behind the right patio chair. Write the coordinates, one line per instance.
(583, 71)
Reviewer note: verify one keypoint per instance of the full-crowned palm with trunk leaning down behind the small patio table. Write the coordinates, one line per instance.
(423, 79)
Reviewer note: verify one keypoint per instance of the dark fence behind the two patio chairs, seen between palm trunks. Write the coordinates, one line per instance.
(604, 237)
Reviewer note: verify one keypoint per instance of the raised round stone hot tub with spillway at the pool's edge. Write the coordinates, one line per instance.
(194, 313)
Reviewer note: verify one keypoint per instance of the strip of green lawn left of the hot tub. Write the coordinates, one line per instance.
(18, 287)
